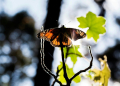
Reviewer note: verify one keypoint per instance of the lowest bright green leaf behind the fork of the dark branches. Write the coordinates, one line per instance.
(70, 73)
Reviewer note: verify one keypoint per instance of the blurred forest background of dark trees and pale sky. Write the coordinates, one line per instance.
(21, 20)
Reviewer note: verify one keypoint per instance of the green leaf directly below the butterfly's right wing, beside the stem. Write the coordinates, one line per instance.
(72, 52)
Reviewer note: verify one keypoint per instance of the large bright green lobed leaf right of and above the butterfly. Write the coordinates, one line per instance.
(94, 23)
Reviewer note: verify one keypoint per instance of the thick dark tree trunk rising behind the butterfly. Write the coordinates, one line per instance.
(42, 78)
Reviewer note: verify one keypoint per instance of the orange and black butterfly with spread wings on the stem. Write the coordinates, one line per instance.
(55, 35)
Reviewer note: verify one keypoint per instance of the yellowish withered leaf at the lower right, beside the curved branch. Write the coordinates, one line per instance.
(102, 76)
